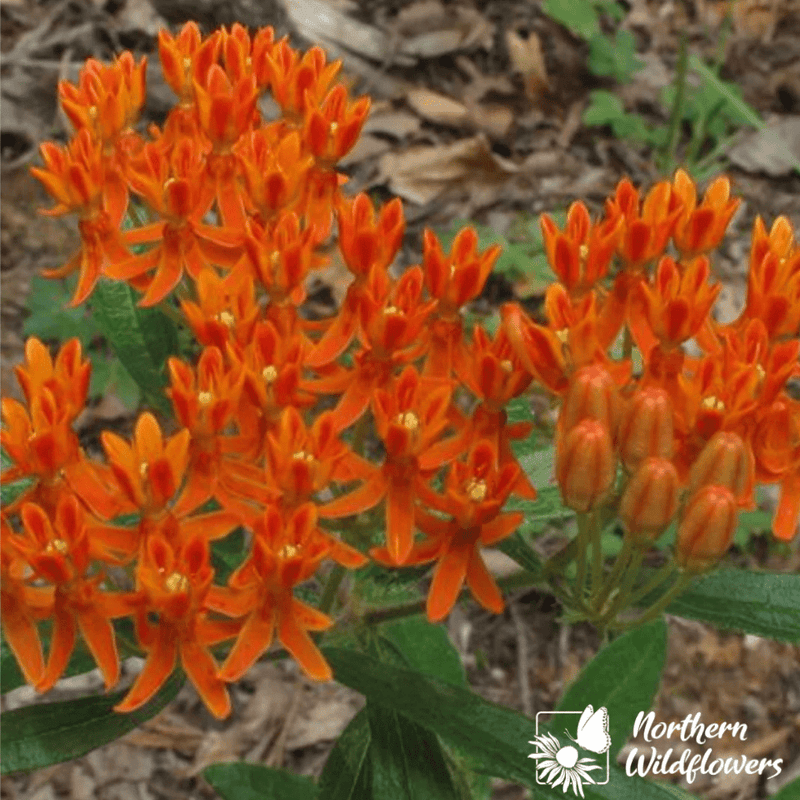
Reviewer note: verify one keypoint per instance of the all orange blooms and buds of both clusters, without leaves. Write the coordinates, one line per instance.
(225, 214)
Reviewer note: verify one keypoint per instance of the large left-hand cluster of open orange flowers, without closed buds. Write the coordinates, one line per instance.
(230, 212)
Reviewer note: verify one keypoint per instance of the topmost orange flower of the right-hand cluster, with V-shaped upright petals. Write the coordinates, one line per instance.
(701, 228)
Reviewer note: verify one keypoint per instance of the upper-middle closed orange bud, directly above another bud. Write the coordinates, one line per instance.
(647, 428)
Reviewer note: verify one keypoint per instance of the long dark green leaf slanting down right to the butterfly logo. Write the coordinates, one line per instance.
(495, 738)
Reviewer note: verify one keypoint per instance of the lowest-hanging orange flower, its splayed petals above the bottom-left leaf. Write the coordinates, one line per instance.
(173, 579)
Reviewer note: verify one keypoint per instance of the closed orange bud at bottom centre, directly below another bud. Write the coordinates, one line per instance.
(650, 500)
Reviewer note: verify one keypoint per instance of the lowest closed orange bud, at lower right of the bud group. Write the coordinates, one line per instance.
(707, 528)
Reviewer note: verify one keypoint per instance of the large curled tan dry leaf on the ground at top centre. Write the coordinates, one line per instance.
(420, 174)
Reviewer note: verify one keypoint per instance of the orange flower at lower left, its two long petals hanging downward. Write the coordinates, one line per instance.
(60, 553)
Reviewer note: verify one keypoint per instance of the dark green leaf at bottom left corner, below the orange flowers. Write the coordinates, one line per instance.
(49, 733)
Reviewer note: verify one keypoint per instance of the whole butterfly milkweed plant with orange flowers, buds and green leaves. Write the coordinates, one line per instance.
(299, 481)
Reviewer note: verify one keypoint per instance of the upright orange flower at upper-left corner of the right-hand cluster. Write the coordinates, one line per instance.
(581, 254)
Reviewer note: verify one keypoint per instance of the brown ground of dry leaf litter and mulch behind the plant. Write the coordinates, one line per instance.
(477, 114)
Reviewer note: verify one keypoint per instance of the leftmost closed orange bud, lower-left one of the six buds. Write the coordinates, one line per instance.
(585, 465)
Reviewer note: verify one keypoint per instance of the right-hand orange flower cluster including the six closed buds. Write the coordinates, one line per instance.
(693, 434)
